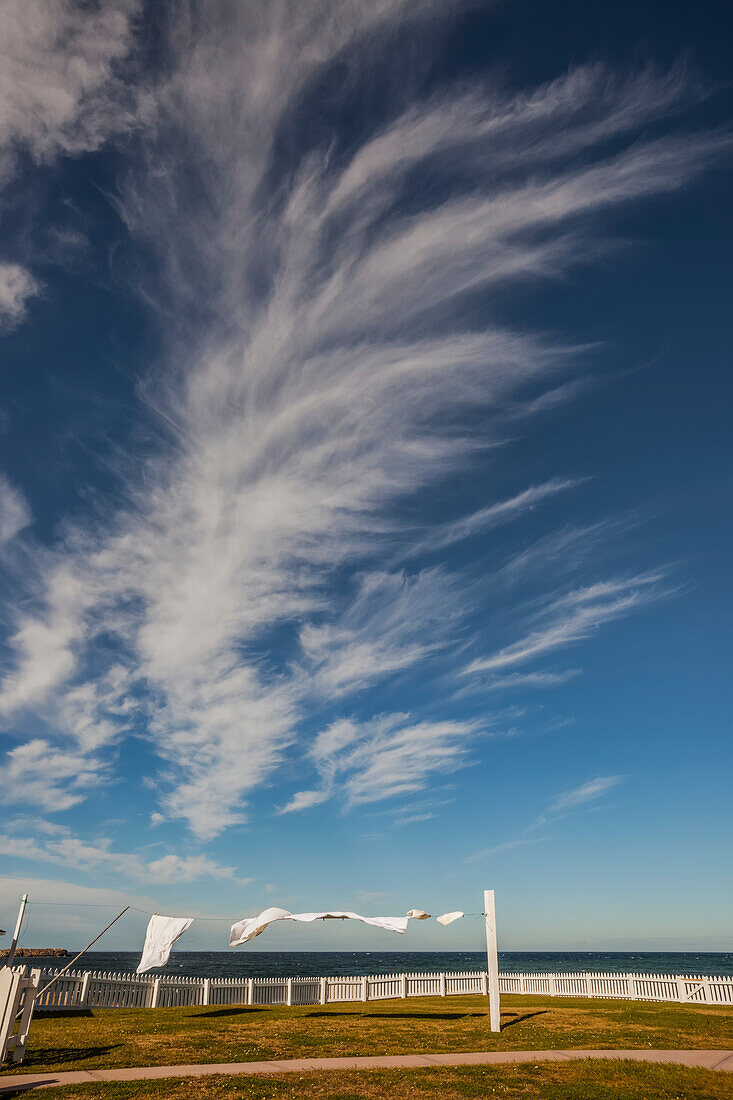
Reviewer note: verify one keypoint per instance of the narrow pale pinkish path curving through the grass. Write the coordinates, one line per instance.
(705, 1060)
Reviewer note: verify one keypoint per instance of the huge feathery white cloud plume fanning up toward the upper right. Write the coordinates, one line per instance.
(319, 375)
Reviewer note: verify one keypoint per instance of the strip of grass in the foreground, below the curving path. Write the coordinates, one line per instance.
(578, 1081)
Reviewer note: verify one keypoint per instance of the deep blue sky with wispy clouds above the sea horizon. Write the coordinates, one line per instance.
(366, 468)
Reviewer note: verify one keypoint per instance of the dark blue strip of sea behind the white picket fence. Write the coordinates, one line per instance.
(243, 964)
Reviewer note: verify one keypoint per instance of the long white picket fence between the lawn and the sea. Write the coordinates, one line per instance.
(92, 991)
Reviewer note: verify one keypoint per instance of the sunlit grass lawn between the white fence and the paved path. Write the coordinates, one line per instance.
(111, 1038)
